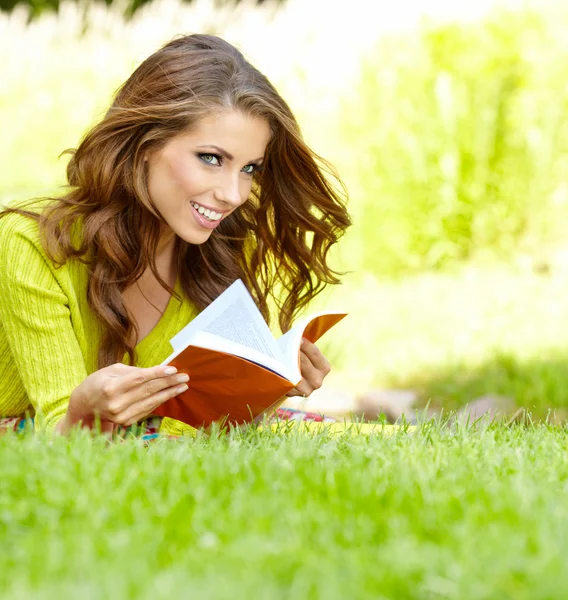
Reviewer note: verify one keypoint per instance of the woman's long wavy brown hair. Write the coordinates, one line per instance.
(278, 242)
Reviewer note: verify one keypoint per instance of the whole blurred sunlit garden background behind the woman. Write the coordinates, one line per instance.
(449, 127)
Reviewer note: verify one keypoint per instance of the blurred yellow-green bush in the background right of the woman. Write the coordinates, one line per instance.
(462, 141)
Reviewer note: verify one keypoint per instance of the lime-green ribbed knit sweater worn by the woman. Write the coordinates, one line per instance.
(49, 338)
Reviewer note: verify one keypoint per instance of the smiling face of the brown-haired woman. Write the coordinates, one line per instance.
(199, 178)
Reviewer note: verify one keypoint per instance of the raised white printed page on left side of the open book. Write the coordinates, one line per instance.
(235, 317)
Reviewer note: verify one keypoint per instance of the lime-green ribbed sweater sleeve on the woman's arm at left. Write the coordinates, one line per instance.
(34, 312)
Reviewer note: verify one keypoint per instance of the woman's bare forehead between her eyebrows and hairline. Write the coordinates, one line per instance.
(242, 135)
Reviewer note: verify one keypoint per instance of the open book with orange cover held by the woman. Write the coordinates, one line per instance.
(237, 369)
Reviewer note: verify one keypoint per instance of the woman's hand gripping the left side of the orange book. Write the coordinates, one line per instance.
(121, 395)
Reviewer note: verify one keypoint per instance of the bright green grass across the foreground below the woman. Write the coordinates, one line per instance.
(439, 513)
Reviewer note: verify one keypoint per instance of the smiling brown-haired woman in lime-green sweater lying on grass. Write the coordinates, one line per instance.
(196, 176)
